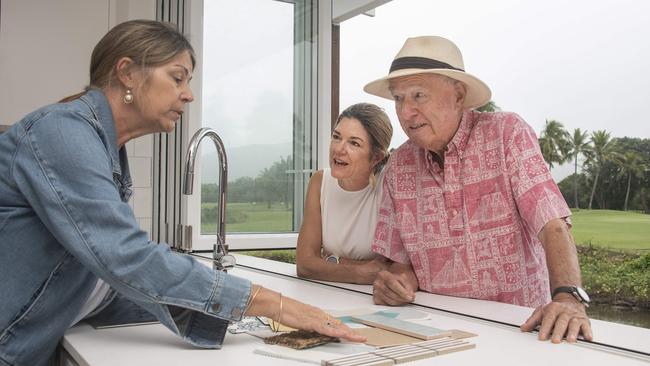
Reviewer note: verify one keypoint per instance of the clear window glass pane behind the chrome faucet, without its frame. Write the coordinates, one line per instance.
(248, 98)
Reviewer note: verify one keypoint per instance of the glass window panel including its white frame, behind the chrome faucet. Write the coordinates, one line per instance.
(259, 87)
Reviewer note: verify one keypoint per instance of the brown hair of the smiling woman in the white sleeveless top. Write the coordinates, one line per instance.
(377, 124)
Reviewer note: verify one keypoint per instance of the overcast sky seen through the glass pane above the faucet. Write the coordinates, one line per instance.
(248, 71)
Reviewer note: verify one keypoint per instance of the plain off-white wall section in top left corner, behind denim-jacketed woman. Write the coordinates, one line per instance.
(45, 51)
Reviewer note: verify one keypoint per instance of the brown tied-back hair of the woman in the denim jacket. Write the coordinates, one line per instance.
(148, 43)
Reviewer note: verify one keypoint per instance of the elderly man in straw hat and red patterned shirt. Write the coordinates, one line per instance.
(469, 207)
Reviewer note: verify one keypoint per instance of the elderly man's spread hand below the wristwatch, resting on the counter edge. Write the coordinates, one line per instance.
(564, 317)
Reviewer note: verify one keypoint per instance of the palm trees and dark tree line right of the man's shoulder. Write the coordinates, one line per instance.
(609, 173)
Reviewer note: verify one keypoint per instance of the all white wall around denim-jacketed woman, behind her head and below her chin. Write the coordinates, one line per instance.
(45, 49)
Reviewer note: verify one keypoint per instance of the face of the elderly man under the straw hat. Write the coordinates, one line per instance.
(429, 108)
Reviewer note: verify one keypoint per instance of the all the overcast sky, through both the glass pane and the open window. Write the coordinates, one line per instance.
(584, 63)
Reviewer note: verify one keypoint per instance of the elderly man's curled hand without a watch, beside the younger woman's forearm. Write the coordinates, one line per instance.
(396, 286)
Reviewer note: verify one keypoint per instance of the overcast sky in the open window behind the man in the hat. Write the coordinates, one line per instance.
(584, 63)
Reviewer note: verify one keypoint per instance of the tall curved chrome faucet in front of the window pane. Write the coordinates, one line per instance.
(221, 259)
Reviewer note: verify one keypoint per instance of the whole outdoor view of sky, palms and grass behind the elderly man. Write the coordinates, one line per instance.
(580, 63)
